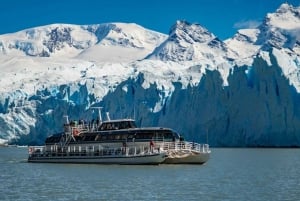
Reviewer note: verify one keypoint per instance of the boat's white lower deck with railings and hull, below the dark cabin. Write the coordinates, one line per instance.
(175, 152)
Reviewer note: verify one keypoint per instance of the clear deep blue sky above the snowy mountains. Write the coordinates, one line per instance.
(221, 17)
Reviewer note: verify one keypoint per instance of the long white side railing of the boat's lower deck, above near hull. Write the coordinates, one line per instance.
(87, 151)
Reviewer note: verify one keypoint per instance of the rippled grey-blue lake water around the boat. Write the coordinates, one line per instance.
(230, 174)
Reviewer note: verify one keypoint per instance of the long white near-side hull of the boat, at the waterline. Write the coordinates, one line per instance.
(151, 159)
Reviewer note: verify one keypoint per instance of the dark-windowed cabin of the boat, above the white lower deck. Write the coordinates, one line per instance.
(117, 131)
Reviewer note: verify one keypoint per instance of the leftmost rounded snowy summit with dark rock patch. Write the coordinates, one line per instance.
(51, 40)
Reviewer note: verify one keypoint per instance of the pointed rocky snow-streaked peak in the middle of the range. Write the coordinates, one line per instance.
(191, 42)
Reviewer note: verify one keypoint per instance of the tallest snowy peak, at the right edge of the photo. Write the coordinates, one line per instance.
(278, 30)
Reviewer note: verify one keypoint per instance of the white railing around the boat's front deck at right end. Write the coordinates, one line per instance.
(184, 145)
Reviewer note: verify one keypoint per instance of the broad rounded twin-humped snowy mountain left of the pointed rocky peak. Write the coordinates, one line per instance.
(64, 40)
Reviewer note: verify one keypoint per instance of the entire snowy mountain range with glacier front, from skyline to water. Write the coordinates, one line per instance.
(241, 92)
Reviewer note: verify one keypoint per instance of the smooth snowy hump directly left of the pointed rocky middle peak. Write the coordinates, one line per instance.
(122, 43)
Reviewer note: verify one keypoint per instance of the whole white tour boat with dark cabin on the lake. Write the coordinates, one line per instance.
(118, 141)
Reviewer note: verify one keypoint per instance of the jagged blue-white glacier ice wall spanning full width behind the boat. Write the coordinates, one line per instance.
(258, 107)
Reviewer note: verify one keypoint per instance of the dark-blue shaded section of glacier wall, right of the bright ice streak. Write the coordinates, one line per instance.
(258, 108)
